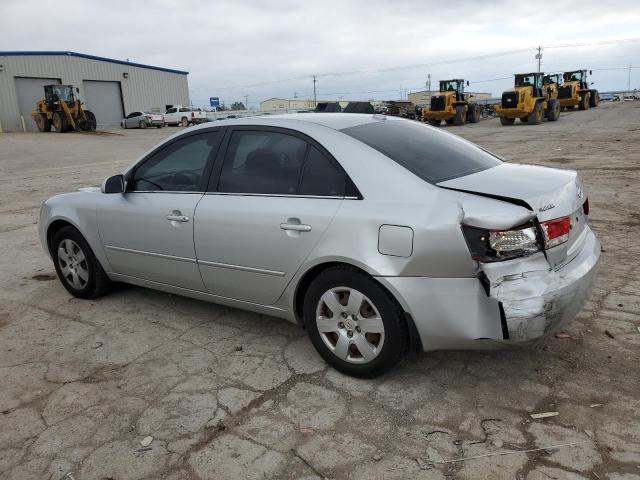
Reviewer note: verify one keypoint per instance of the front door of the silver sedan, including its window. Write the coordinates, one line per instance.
(147, 231)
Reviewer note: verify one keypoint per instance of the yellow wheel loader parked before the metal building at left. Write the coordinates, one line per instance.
(61, 109)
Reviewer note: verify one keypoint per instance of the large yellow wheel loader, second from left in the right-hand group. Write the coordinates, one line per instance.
(529, 101)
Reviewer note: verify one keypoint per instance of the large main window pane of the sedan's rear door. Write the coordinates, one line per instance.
(262, 162)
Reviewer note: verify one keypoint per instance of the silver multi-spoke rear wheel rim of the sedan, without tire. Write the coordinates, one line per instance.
(350, 325)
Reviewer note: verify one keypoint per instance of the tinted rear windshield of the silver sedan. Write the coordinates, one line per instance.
(431, 155)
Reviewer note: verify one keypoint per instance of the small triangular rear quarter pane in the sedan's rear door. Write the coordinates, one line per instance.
(321, 177)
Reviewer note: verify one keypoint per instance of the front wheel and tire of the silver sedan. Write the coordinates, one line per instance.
(77, 267)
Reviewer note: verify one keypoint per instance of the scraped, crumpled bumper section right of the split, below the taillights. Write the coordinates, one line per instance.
(536, 299)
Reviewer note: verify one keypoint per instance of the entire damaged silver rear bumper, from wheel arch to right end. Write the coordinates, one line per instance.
(521, 300)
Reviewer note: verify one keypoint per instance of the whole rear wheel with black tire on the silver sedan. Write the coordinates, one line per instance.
(354, 323)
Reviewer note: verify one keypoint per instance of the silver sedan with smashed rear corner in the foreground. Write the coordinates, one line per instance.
(377, 234)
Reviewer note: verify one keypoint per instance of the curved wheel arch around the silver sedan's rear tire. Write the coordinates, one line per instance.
(312, 273)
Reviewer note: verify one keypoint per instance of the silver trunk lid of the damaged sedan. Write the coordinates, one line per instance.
(550, 193)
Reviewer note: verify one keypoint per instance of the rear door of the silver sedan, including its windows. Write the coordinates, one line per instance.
(273, 195)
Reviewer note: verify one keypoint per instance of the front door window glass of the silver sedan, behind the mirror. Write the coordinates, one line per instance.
(178, 167)
